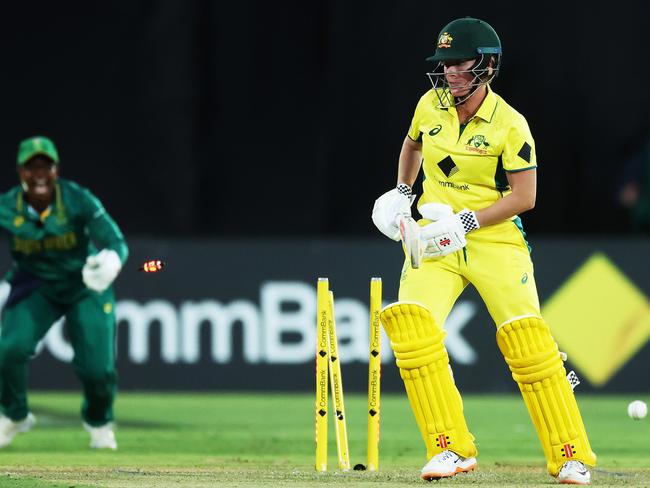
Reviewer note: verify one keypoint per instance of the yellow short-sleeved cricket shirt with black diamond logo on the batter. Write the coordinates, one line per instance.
(467, 169)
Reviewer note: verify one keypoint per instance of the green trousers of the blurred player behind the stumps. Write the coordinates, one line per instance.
(90, 323)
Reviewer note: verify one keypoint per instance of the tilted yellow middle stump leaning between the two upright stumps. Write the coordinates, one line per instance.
(336, 383)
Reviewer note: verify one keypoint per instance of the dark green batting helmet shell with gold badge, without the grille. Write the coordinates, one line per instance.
(466, 38)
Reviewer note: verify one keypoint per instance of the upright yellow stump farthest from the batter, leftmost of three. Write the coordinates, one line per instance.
(322, 352)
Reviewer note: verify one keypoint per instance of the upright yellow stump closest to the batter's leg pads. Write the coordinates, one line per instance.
(374, 375)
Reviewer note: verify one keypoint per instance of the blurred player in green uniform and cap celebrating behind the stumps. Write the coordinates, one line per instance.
(53, 225)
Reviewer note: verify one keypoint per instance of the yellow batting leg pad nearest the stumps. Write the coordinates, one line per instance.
(418, 344)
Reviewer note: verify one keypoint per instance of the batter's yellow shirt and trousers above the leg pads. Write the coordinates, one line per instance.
(465, 167)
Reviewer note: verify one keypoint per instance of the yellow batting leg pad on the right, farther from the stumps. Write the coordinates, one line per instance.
(534, 360)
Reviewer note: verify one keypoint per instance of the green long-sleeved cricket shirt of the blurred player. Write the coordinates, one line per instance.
(53, 247)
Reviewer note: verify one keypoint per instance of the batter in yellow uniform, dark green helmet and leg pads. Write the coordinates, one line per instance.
(479, 163)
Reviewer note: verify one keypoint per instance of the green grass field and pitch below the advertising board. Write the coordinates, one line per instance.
(201, 440)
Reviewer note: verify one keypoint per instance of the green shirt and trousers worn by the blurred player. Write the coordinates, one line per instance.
(49, 251)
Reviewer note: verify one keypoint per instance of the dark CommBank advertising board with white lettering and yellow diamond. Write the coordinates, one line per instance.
(241, 315)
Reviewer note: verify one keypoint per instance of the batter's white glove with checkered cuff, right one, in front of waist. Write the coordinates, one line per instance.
(447, 235)
